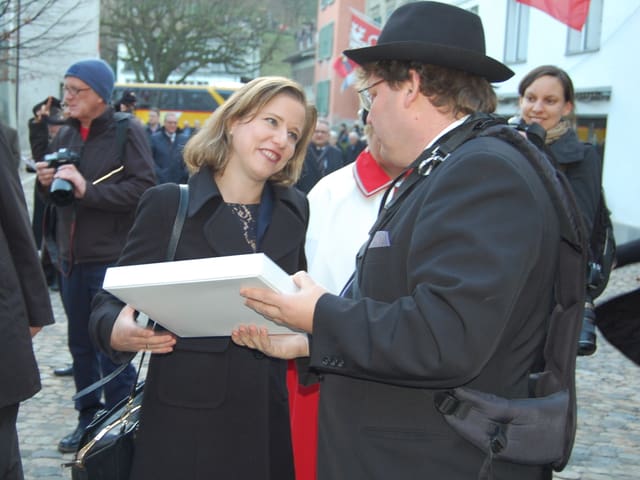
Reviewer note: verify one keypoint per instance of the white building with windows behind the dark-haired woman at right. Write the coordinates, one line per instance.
(602, 65)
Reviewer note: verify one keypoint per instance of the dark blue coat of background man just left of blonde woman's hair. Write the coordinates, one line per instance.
(167, 157)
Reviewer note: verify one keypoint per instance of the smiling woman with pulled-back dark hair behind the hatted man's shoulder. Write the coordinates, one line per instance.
(547, 98)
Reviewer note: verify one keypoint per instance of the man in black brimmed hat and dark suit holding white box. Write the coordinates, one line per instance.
(453, 287)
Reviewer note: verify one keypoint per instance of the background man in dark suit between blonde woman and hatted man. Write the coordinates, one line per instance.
(322, 158)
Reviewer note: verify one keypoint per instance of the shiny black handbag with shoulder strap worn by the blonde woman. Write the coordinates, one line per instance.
(105, 451)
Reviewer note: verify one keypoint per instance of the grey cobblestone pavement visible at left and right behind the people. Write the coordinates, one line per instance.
(607, 446)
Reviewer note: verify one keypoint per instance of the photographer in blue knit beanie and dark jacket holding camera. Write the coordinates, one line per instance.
(97, 188)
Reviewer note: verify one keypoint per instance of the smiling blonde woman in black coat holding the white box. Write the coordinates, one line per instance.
(212, 409)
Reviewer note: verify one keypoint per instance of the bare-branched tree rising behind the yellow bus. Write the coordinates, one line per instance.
(165, 37)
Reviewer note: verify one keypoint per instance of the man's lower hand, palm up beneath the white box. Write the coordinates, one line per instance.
(286, 346)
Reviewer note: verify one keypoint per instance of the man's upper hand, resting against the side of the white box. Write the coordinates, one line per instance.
(294, 310)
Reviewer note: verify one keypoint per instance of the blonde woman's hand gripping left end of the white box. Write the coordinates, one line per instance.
(128, 336)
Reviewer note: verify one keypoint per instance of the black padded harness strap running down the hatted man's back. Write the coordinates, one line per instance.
(499, 426)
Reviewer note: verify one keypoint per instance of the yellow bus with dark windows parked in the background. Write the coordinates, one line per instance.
(189, 102)
